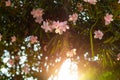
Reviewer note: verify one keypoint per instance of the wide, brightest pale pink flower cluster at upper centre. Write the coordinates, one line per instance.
(59, 27)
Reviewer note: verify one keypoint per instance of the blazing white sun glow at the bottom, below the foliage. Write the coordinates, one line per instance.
(68, 71)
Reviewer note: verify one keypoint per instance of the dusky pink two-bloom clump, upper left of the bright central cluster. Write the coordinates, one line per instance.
(37, 14)
